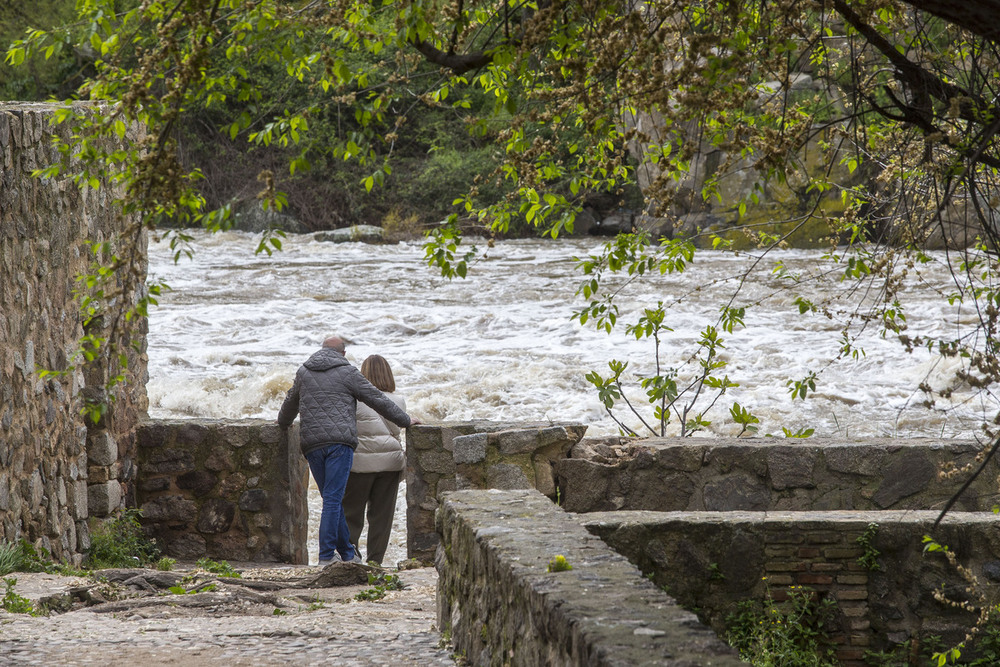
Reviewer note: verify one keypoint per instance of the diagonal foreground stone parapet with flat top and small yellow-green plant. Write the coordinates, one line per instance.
(502, 607)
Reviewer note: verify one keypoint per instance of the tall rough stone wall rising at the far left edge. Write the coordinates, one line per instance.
(48, 452)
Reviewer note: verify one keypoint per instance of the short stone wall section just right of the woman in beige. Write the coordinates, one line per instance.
(476, 454)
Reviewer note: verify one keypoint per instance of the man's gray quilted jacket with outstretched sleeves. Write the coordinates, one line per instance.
(325, 394)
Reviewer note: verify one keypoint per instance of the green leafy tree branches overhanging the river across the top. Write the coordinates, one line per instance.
(899, 130)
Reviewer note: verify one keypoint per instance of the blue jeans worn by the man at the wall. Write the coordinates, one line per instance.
(331, 467)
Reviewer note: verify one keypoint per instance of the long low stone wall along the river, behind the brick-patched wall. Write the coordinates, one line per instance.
(695, 474)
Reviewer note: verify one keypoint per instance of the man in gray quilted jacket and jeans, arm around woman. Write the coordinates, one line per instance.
(325, 394)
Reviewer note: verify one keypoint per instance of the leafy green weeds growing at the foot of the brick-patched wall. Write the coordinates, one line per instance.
(777, 634)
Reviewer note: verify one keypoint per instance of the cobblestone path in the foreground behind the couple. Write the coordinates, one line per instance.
(316, 626)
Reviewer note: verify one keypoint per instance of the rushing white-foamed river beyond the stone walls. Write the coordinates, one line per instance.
(501, 344)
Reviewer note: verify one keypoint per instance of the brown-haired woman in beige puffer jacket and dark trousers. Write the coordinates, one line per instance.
(378, 466)
